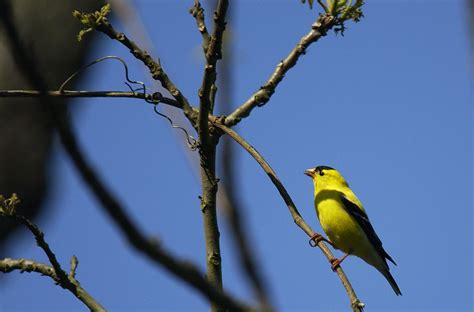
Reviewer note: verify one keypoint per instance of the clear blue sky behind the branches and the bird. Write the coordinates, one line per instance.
(388, 105)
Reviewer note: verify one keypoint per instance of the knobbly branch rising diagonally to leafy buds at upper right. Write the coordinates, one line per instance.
(319, 28)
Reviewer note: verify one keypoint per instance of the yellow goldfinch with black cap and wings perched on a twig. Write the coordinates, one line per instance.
(345, 222)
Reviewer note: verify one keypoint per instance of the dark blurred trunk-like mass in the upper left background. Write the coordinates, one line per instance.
(48, 30)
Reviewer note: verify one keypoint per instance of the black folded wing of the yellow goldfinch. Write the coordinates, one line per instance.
(363, 220)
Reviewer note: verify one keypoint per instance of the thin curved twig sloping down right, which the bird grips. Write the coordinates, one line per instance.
(356, 304)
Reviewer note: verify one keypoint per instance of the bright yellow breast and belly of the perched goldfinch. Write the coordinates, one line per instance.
(341, 228)
